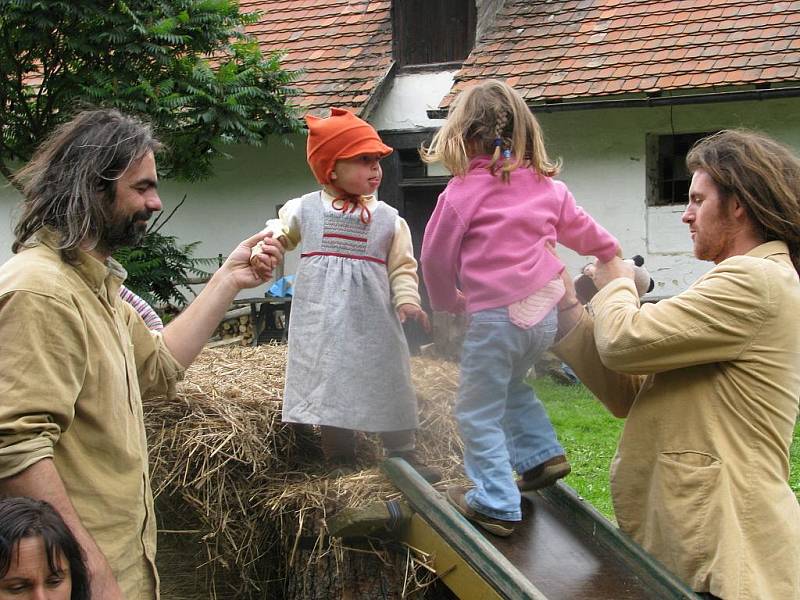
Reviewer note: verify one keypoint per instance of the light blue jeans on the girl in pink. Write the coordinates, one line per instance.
(503, 424)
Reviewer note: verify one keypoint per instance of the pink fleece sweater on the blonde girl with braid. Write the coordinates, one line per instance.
(487, 238)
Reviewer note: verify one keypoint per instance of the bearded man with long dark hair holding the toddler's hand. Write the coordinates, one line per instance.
(77, 360)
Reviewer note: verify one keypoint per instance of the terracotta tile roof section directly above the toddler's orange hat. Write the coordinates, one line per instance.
(343, 46)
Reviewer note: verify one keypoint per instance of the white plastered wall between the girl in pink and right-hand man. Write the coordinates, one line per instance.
(604, 155)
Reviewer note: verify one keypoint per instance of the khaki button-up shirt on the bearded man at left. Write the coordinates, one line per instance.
(75, 363)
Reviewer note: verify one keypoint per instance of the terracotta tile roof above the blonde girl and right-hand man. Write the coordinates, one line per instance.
(590, 48)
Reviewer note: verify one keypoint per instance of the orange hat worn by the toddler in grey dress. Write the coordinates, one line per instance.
(342, 135)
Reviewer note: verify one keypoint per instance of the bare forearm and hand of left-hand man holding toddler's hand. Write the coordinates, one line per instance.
(186, 335)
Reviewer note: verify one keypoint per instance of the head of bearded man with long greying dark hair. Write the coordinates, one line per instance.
(78, 177)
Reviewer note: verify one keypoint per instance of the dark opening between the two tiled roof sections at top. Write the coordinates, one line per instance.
(420, 26)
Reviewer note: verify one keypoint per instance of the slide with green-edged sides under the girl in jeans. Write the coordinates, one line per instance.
(563, 549)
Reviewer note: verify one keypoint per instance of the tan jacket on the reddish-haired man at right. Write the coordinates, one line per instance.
(710, 382)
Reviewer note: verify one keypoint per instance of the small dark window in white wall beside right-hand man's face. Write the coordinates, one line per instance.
(668, 177)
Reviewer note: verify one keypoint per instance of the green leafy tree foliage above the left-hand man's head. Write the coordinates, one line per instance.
(185, 65)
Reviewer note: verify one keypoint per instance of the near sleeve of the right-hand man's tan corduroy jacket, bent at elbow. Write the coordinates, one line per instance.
(713, 321)
